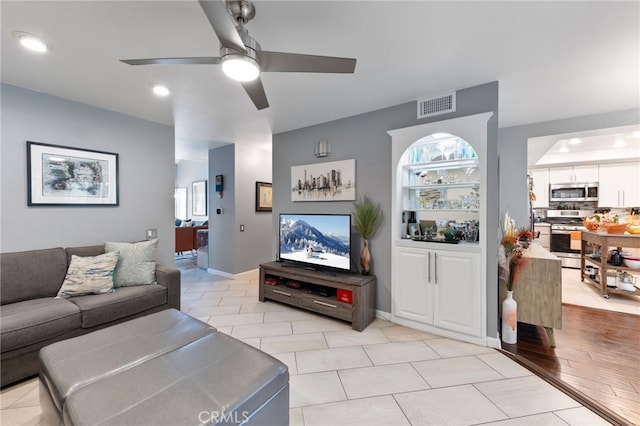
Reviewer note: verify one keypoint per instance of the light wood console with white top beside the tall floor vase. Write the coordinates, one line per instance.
(538, 290)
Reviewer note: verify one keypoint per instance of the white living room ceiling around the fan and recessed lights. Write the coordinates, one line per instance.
(553, 60)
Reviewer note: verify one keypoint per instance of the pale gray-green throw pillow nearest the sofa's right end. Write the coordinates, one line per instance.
(136, 262)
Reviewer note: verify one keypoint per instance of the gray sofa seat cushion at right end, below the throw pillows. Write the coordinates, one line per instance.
(98, 309)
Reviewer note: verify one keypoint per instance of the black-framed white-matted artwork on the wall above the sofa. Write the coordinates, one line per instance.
(66, 176)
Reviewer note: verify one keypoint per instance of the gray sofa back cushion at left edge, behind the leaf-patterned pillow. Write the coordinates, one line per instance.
(31, 274)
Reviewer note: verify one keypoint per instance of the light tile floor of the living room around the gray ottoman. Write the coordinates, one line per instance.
(385, 375)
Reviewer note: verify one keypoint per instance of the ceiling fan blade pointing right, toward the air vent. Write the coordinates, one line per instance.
(294, 62)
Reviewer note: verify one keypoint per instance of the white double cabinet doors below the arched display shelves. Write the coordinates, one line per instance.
(439, 287)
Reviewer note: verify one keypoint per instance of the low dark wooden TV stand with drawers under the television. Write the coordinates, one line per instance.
(360, 288)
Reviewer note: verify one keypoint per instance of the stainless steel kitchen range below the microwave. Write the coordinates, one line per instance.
(563, 222)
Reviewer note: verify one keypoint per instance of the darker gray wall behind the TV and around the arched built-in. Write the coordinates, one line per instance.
(364, 137)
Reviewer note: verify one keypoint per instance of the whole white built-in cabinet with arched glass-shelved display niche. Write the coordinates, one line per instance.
(440, 173)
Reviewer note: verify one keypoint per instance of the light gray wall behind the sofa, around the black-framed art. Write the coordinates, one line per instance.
(146, 175)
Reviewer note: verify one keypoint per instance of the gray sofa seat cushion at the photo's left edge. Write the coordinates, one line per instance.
(37, 320)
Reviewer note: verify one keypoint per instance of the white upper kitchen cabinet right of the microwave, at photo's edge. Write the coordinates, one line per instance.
(619, 185)
